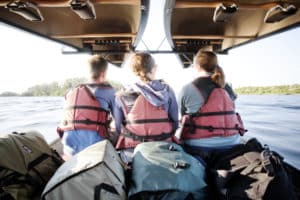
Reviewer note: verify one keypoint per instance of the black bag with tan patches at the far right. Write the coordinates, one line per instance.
(250, 172)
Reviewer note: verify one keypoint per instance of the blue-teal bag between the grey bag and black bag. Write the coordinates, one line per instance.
(162, 170)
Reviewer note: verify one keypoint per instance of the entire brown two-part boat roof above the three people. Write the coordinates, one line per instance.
(115, 27)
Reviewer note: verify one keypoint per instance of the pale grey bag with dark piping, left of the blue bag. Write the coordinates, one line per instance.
(94, 173)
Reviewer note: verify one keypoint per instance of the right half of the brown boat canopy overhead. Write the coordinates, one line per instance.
(222, 25)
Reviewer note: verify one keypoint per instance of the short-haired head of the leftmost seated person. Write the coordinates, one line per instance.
(97, 64)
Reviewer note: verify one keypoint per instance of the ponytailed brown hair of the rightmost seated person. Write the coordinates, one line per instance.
(208, 61)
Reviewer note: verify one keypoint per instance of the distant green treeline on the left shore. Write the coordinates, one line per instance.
(55, 89)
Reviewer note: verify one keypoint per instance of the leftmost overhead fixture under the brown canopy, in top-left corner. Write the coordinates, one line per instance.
(27, 10)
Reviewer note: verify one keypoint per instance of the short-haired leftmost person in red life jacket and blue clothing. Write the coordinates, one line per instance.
(87, 110)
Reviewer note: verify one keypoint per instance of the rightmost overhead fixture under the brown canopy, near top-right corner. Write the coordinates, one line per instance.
(278, 13)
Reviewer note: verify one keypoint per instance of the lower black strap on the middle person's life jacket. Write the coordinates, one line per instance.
(145, 138)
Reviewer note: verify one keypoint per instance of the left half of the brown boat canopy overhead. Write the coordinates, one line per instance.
(87, 25)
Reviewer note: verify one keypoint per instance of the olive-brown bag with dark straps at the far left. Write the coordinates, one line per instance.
(27, 163)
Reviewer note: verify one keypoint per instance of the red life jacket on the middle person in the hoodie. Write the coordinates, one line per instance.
(143, 122)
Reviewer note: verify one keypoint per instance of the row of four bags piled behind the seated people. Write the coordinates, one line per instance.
(160, 170)
